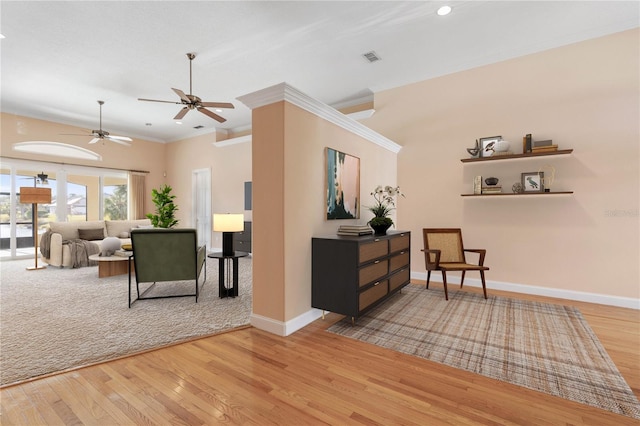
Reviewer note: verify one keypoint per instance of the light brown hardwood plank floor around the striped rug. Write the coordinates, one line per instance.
(311, 377)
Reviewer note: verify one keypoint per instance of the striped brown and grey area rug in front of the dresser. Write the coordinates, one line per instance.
(544, 347)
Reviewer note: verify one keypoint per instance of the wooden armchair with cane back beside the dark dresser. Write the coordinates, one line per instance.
(444, 251)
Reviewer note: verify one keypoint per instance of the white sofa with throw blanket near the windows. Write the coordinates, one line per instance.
(60, 254)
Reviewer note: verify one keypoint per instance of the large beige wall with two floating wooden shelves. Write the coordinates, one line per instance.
(583, 96)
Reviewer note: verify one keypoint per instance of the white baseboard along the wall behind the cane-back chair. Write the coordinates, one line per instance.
(603, 299)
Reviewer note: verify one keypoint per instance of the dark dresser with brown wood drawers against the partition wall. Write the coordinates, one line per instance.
(350, 275)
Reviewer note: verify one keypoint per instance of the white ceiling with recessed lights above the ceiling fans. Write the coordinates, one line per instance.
(60, 57)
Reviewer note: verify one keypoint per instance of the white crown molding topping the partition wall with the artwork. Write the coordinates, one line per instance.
(285, 92)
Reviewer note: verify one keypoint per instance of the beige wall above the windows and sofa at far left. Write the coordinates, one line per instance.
(141, 155)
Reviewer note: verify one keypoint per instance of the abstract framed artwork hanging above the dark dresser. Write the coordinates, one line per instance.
(342, 185)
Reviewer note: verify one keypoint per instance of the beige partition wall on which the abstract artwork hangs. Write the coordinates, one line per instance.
(290, 200)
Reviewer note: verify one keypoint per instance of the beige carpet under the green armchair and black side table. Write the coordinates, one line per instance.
(55, 319)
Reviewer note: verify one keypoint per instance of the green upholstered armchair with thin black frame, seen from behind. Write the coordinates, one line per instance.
(162, 255)
